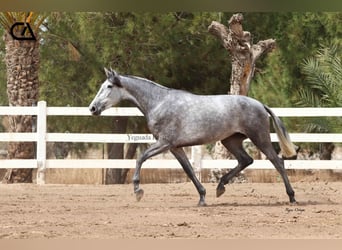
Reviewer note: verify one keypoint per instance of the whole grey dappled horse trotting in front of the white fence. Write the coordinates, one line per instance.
(178, 118)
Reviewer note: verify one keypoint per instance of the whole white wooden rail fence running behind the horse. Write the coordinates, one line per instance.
(41, 137)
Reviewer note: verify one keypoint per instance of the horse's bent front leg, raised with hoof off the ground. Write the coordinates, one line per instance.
(155, 149)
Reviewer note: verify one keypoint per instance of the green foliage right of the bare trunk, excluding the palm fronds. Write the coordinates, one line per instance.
(298, 36)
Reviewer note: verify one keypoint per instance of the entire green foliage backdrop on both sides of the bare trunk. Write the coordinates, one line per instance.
(176, 50)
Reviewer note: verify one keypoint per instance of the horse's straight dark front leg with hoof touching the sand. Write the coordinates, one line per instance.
(184, 161)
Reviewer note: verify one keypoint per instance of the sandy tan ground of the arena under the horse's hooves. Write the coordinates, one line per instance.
(246, 210)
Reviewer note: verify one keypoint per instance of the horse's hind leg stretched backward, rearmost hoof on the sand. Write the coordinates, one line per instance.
(265, 145)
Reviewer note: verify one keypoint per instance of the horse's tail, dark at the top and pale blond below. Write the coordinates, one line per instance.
(289, 150)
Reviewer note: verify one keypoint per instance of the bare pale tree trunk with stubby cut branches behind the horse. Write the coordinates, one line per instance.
(244, 55)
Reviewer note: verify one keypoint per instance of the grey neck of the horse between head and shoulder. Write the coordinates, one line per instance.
(144, 94)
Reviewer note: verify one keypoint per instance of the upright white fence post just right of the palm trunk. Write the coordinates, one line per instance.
(41, 142)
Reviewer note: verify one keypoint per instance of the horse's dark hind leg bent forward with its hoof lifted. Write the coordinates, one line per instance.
(234, 145)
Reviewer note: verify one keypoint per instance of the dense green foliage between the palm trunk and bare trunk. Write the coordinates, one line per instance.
(173, 49)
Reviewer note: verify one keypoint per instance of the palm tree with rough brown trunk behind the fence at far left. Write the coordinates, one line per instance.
(22, 64)
